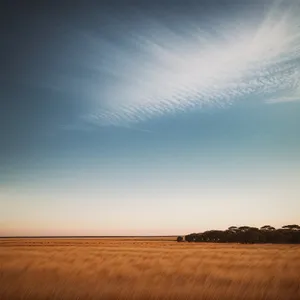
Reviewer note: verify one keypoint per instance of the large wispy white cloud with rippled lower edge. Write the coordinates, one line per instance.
(161, 71)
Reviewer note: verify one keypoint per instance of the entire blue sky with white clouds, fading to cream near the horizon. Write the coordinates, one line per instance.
(148, 117)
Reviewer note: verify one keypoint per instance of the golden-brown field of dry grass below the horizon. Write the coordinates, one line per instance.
(144, 268)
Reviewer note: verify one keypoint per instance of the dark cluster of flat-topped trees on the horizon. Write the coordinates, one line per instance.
(288, 234)
